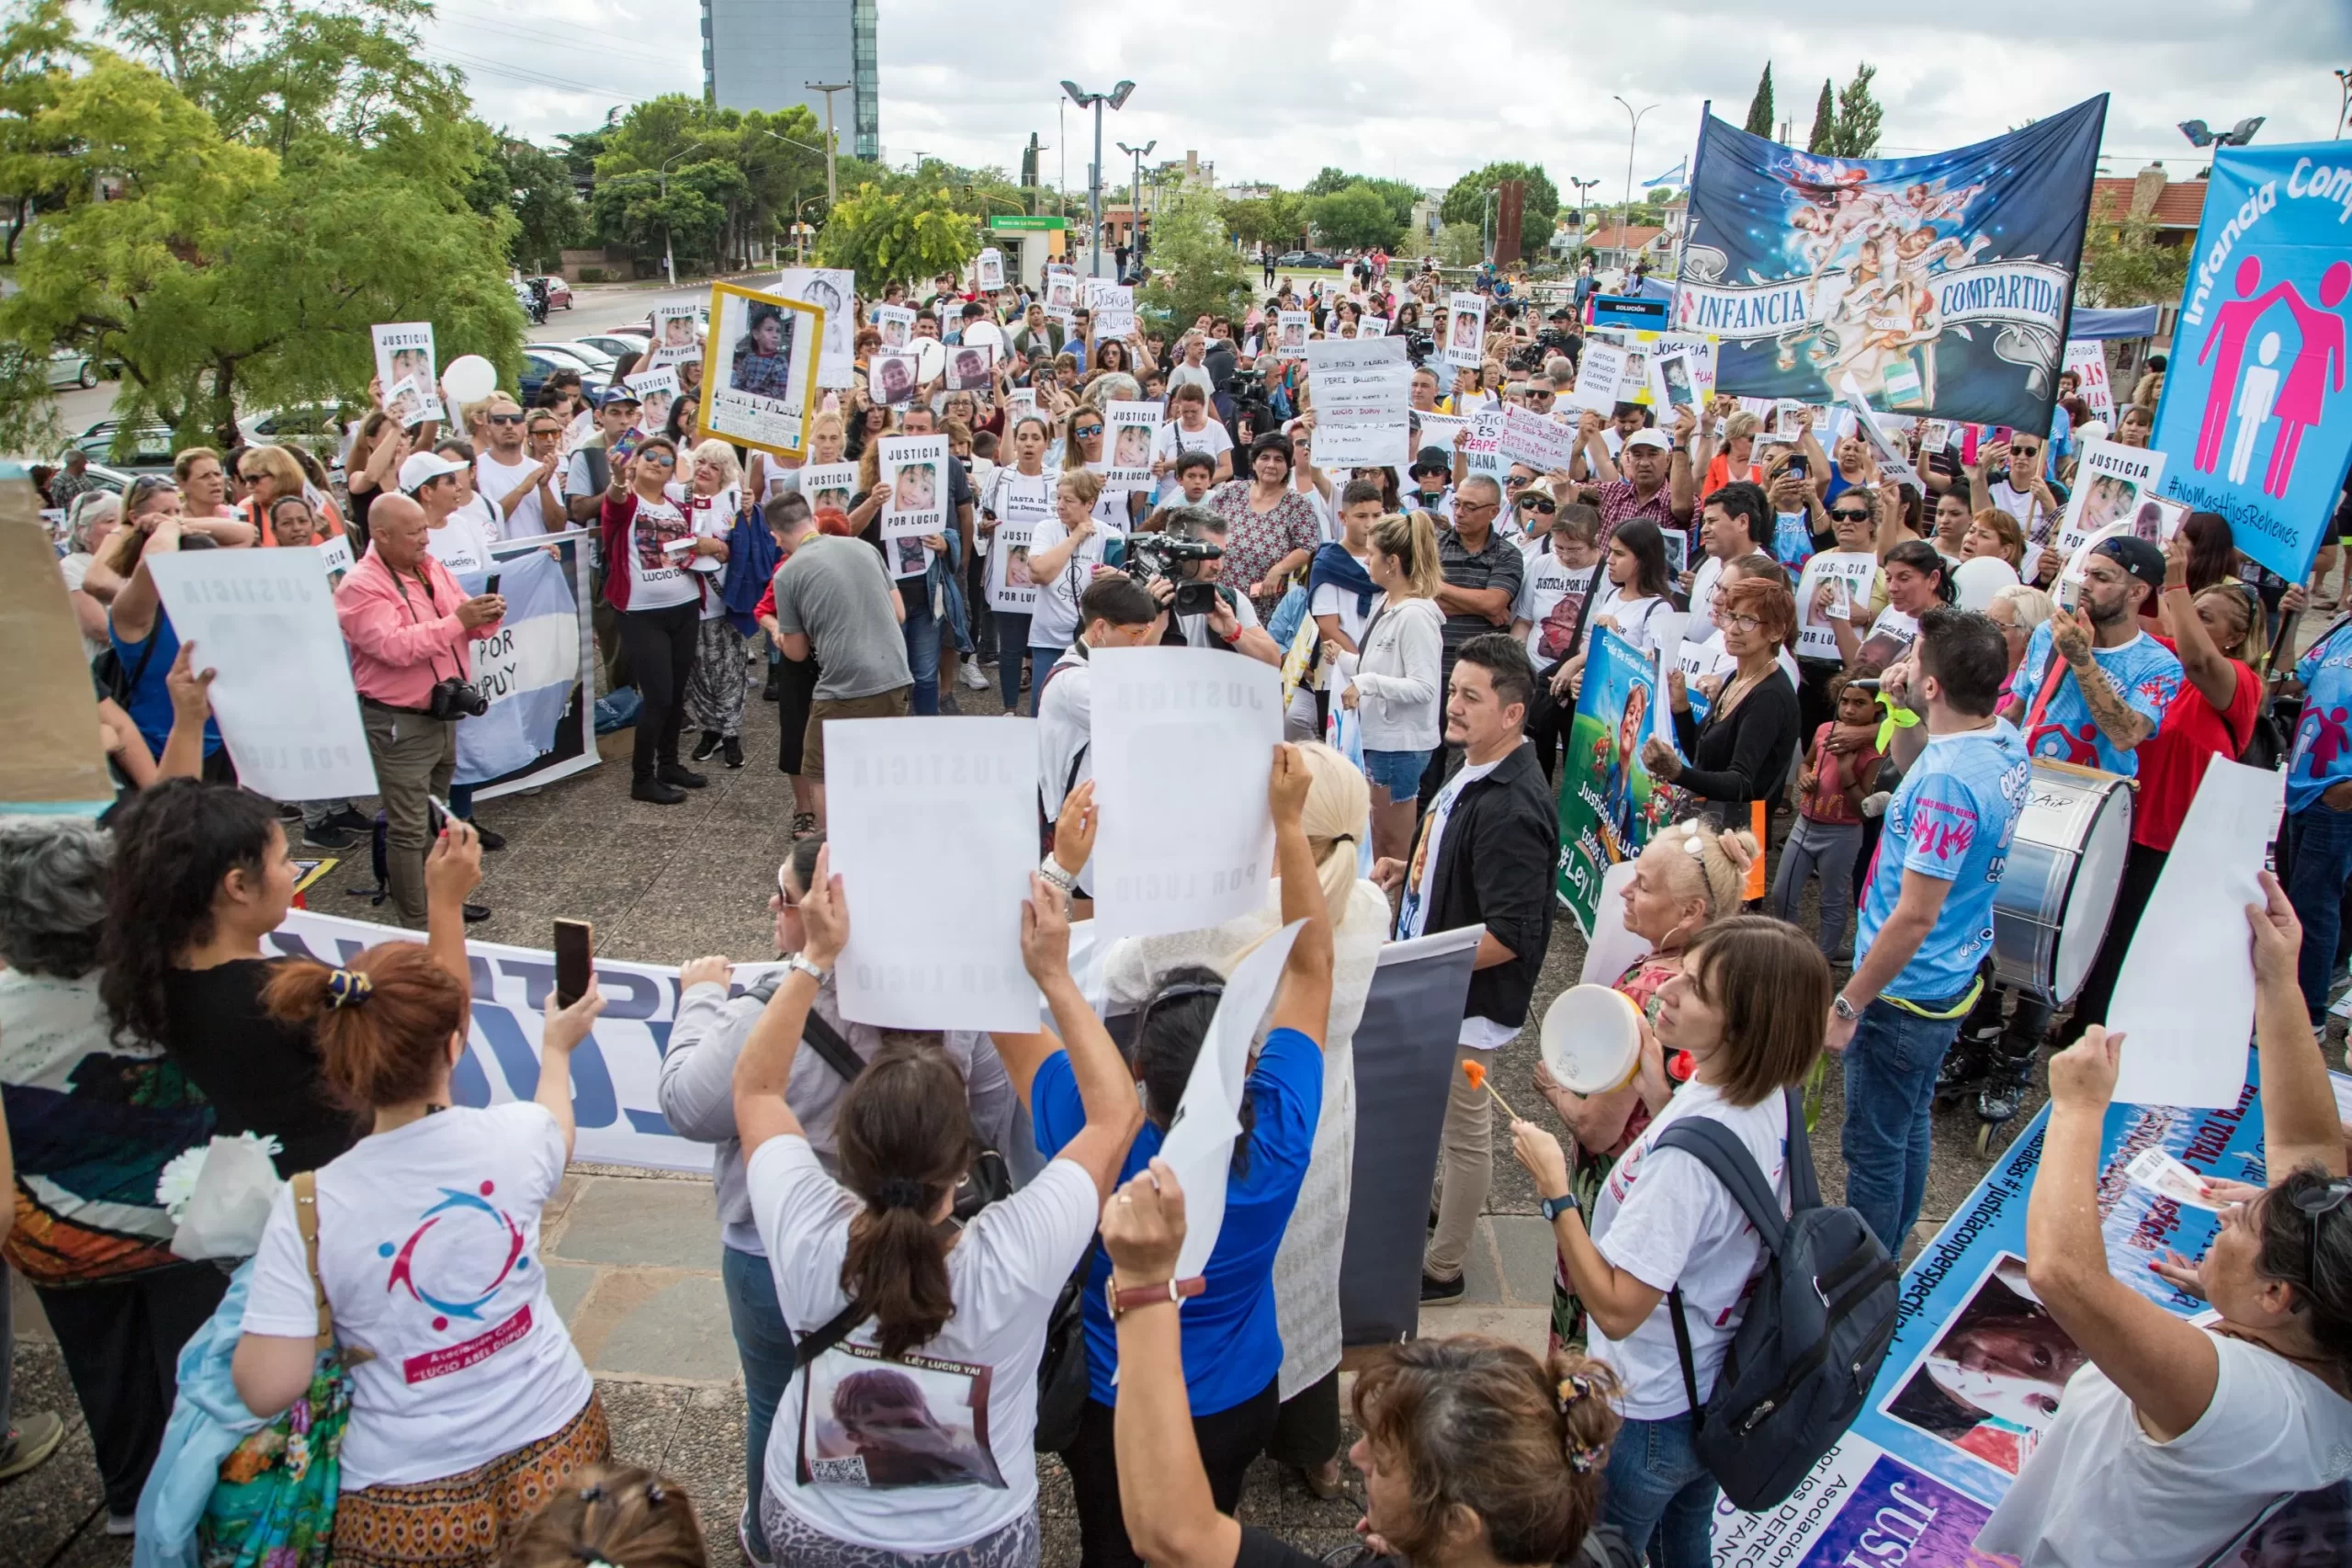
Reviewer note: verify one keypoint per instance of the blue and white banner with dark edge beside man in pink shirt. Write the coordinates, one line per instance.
(537, 671)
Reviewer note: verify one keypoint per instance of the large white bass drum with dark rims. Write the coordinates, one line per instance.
(2052, 906)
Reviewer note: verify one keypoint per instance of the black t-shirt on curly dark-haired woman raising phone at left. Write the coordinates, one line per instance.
(260, 1076)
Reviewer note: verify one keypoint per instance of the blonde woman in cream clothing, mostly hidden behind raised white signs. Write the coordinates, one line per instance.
(1335, 819)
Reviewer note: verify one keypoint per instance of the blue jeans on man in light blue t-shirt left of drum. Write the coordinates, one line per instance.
(1890, 1094)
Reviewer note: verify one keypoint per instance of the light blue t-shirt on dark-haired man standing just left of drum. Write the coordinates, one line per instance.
(1951, 819)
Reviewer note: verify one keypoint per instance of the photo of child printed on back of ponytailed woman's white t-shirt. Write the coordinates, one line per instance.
(897, 1423)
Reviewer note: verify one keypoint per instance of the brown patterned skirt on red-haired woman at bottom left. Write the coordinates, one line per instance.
(467, 1520)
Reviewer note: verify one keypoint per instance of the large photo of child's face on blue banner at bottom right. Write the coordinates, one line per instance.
(1991, 1381)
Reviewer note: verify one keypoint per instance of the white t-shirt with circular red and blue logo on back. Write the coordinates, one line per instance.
(429, 1252)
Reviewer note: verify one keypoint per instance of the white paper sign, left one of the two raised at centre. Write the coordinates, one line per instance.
(933, 831)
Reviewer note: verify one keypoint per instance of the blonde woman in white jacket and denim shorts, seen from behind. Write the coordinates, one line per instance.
(1396, 688)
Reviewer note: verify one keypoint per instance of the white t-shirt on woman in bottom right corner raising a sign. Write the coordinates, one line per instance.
(2099, 1492)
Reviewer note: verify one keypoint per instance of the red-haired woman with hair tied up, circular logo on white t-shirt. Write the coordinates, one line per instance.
(469, 1402)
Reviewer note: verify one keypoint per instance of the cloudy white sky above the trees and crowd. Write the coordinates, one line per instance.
(1278, 91)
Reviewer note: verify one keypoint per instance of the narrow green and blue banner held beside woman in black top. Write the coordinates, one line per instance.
(1608, 800)
